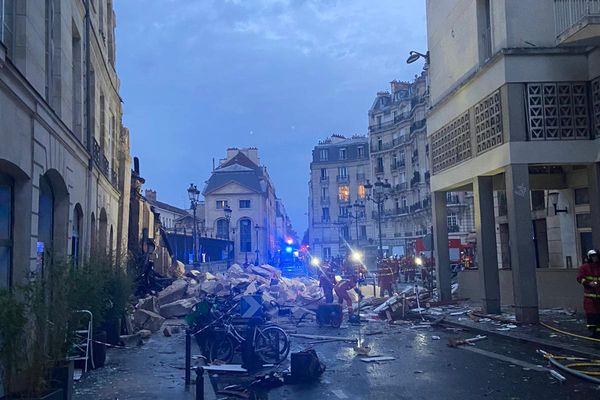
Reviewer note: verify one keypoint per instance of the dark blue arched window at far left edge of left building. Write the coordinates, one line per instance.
(6, 227)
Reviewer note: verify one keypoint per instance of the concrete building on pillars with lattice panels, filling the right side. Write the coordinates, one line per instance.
(515, 118)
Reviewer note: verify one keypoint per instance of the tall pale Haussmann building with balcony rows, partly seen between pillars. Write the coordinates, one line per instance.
(400, 154)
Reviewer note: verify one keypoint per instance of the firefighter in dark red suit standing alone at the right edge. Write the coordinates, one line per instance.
(589, 277)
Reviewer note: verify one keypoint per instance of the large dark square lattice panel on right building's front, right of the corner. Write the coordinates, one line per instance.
(558, 111)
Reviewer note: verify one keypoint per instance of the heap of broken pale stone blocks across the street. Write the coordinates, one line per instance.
(178, 299)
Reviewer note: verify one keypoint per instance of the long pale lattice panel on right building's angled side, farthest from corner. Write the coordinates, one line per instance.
(451, 144)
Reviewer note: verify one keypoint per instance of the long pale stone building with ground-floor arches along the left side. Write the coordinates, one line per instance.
(64, 154)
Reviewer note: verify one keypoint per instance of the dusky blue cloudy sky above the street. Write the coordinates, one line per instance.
(199, 76)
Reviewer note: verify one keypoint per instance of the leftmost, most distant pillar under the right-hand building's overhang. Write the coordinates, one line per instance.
(440, 237)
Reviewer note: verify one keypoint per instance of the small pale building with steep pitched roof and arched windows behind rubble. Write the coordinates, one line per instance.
(241, 184)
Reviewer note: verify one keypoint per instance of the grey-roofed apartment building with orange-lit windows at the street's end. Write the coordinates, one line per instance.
(338, 172)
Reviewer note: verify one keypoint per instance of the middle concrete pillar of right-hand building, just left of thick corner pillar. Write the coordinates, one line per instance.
(485, 226)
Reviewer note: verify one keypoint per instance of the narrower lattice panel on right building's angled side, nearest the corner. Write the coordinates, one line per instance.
(488, 123)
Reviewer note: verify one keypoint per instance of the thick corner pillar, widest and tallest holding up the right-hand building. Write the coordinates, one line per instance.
(521, 244)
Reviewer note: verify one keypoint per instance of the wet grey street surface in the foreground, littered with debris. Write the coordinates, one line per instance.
(425, 367)
